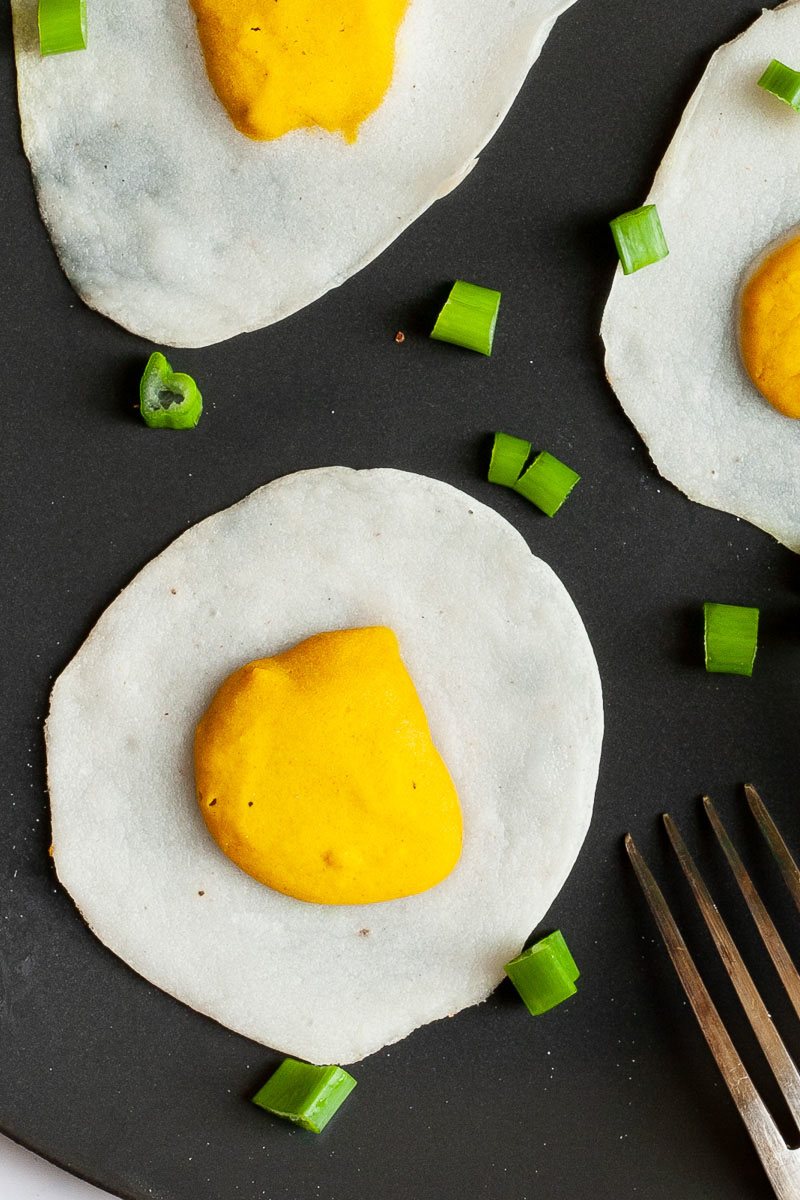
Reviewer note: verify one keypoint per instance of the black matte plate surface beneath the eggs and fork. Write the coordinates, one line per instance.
(615, 1094)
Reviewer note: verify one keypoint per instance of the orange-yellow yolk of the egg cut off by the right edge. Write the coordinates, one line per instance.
(771, 328)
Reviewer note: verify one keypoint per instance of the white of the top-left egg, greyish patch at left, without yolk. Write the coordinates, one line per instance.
(172, 223)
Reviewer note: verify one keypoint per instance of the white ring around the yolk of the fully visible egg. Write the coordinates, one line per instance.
(506, 674)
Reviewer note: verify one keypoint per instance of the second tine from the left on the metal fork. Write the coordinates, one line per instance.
(769, 1040)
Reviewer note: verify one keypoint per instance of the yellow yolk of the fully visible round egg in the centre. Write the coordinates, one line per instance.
(316, 773)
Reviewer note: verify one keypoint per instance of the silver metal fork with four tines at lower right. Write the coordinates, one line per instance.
(781, 1163)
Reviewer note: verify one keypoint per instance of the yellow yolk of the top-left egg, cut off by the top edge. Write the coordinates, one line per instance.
(281, 65)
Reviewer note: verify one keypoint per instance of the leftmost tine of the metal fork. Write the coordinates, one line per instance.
(784, 1172)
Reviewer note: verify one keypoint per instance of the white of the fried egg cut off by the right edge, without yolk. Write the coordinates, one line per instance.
(726, 194)
